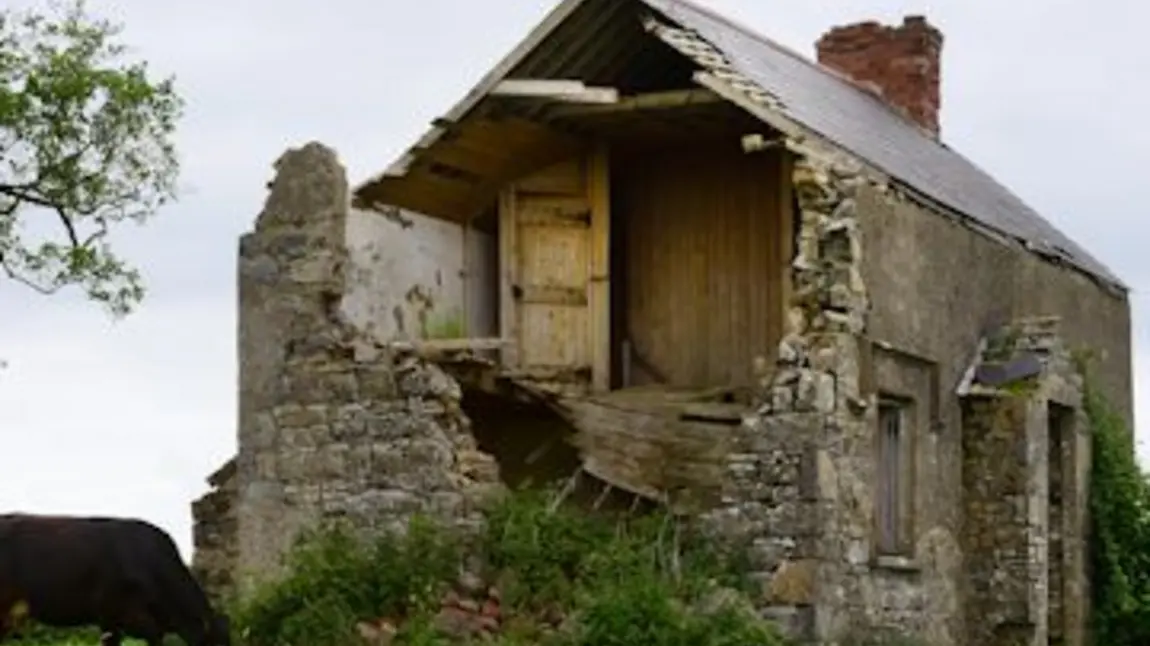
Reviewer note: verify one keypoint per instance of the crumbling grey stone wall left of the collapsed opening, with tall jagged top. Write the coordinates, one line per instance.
(332, 422)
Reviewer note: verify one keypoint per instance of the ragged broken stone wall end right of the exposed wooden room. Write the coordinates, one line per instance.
(785, 488)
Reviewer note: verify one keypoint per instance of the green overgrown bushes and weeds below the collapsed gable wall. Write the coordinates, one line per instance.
(554, 578)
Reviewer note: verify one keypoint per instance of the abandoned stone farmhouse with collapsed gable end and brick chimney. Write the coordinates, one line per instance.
(661, 258)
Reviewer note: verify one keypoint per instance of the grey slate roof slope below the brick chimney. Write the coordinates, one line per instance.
(864, 126)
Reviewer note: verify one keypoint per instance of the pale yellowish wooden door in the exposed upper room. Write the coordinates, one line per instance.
(554, 262)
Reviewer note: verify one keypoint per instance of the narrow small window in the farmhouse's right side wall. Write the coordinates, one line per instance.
(893, 474)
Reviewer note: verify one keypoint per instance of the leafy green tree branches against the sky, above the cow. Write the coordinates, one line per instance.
(86, 144)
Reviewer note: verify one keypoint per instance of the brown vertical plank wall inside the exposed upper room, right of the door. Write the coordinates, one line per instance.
(707, 244)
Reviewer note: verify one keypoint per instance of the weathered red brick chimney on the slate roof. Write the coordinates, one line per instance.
(900, 64)
